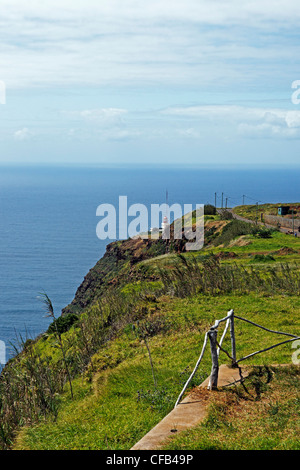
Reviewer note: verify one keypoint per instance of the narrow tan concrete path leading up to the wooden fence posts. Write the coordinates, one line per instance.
(190, 412)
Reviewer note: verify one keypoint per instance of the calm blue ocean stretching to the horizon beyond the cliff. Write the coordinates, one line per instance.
(48, 222)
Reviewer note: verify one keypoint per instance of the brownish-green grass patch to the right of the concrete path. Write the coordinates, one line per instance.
(263, 414)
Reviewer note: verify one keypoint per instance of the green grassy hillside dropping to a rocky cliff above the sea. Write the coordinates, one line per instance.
(112, 366)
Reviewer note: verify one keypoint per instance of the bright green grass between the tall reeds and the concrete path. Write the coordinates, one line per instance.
(117, 405)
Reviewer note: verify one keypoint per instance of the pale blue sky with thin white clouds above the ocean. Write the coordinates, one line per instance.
(193, 82)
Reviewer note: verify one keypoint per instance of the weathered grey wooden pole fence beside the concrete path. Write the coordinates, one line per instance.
(215, 348)
